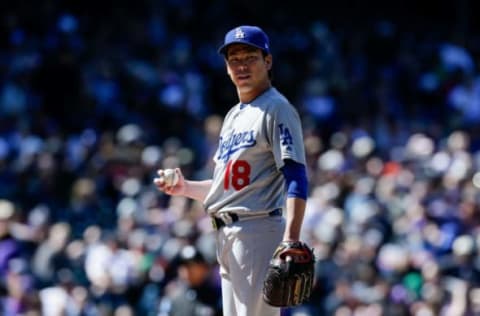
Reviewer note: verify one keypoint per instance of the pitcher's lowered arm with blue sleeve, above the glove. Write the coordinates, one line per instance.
(297, 186)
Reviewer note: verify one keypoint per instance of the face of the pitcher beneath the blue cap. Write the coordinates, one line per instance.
(248, 68)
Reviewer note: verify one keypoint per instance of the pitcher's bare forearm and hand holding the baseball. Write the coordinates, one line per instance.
(196, 190)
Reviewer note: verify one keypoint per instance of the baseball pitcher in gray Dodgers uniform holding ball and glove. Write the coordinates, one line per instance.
(256, 197)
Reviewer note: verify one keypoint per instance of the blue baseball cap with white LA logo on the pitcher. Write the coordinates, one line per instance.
(246, 34)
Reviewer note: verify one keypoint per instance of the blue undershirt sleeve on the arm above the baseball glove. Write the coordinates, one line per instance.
(295, 178)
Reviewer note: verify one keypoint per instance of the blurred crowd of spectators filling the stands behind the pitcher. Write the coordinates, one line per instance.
(96, 96)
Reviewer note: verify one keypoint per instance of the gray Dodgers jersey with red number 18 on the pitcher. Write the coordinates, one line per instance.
(254, 140)
